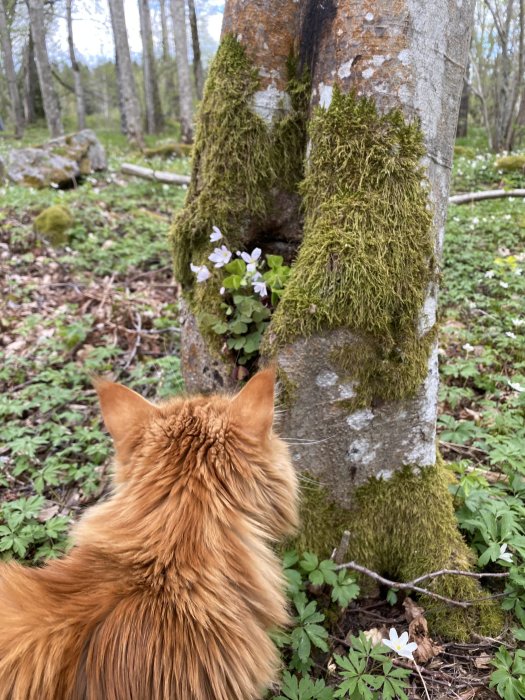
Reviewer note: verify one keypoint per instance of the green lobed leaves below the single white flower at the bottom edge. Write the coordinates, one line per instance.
(369, 673)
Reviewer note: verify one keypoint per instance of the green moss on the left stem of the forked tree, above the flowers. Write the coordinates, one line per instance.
(237, 160)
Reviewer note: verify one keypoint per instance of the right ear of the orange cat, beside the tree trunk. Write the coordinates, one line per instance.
(252, 408)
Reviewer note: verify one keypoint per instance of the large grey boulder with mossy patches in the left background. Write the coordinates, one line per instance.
(59, 162)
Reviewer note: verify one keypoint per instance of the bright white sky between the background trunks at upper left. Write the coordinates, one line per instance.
(92, 30)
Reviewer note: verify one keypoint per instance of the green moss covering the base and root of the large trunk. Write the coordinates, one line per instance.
(404, 537)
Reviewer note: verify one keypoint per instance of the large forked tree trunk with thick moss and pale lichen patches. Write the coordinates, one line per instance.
(354, 335)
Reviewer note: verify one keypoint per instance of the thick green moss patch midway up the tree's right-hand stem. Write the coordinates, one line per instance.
(367, 256)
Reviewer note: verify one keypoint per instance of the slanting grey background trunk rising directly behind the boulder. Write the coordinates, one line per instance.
(45, 77)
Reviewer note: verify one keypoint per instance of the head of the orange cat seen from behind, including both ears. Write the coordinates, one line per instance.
(221, 451)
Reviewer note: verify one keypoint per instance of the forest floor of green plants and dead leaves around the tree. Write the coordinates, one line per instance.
(105, 303)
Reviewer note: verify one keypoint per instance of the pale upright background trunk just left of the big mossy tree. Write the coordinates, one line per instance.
(178, 13)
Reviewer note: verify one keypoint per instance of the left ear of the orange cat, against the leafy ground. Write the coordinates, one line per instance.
(123, 410)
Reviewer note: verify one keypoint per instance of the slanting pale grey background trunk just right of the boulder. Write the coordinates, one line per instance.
(130, 108)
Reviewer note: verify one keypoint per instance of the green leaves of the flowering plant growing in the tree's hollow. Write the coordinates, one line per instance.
(244, 316)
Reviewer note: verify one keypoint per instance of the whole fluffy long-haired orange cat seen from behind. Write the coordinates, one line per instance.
(172, 586)
